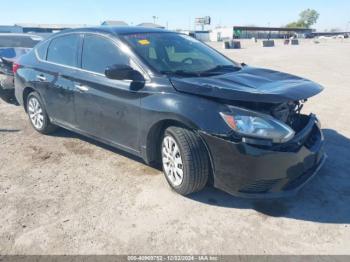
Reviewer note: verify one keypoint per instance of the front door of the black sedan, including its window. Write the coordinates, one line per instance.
(105, 108)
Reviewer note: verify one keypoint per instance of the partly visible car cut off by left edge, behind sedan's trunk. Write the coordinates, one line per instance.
(13, 46)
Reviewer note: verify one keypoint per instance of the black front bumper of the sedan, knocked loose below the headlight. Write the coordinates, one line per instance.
(246, 170)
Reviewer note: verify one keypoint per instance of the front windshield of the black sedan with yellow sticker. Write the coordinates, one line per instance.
(171, 53)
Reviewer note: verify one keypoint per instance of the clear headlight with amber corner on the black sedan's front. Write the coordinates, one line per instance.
(251, 124)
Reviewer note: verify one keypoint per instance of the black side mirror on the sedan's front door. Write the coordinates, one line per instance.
(123, 72)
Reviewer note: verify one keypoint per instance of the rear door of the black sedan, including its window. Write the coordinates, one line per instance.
(59, 74)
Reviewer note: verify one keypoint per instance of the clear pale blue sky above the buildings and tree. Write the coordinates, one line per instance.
(177, 14)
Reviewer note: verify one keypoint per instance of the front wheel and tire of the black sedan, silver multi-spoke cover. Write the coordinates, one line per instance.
(185, 160)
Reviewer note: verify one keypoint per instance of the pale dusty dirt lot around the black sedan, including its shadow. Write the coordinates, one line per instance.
(64, 194)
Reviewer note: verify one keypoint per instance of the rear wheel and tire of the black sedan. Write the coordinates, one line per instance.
(37, 114)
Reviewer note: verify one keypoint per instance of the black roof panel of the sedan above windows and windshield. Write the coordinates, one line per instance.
(117, 30)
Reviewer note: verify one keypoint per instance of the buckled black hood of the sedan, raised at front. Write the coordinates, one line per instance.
(250, 84)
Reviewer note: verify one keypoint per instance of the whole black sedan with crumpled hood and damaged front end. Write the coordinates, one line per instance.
(171, 99)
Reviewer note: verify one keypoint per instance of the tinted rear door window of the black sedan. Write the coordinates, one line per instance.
(63, 50)
